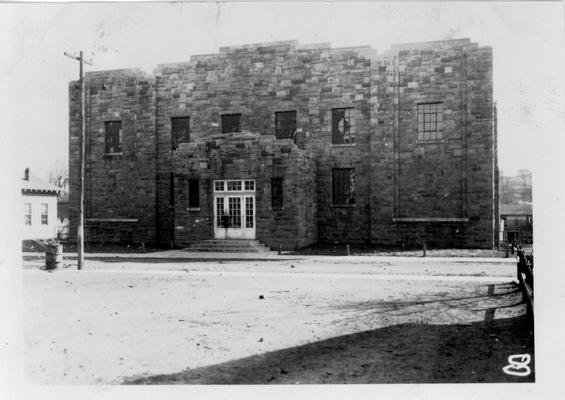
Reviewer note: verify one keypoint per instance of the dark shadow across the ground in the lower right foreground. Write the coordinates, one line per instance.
(406, 353)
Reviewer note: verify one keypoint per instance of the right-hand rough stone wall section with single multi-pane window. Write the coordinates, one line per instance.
(441, 192)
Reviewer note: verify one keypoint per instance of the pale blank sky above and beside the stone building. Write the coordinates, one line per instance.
(527, 41)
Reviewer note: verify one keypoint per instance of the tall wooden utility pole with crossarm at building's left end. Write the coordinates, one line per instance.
(80, 230)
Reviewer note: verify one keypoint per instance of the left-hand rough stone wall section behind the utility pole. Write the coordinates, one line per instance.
(119, 188)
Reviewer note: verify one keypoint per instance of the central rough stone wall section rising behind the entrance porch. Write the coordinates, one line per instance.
(259, 80)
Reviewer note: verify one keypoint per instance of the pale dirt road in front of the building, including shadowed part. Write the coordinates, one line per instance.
(266, 322)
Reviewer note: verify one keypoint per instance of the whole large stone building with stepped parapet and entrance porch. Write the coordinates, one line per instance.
(293, 145)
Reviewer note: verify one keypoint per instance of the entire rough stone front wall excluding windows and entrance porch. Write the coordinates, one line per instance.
(397, 179)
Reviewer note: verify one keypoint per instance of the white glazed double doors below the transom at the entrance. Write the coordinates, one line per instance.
(234, 216)
